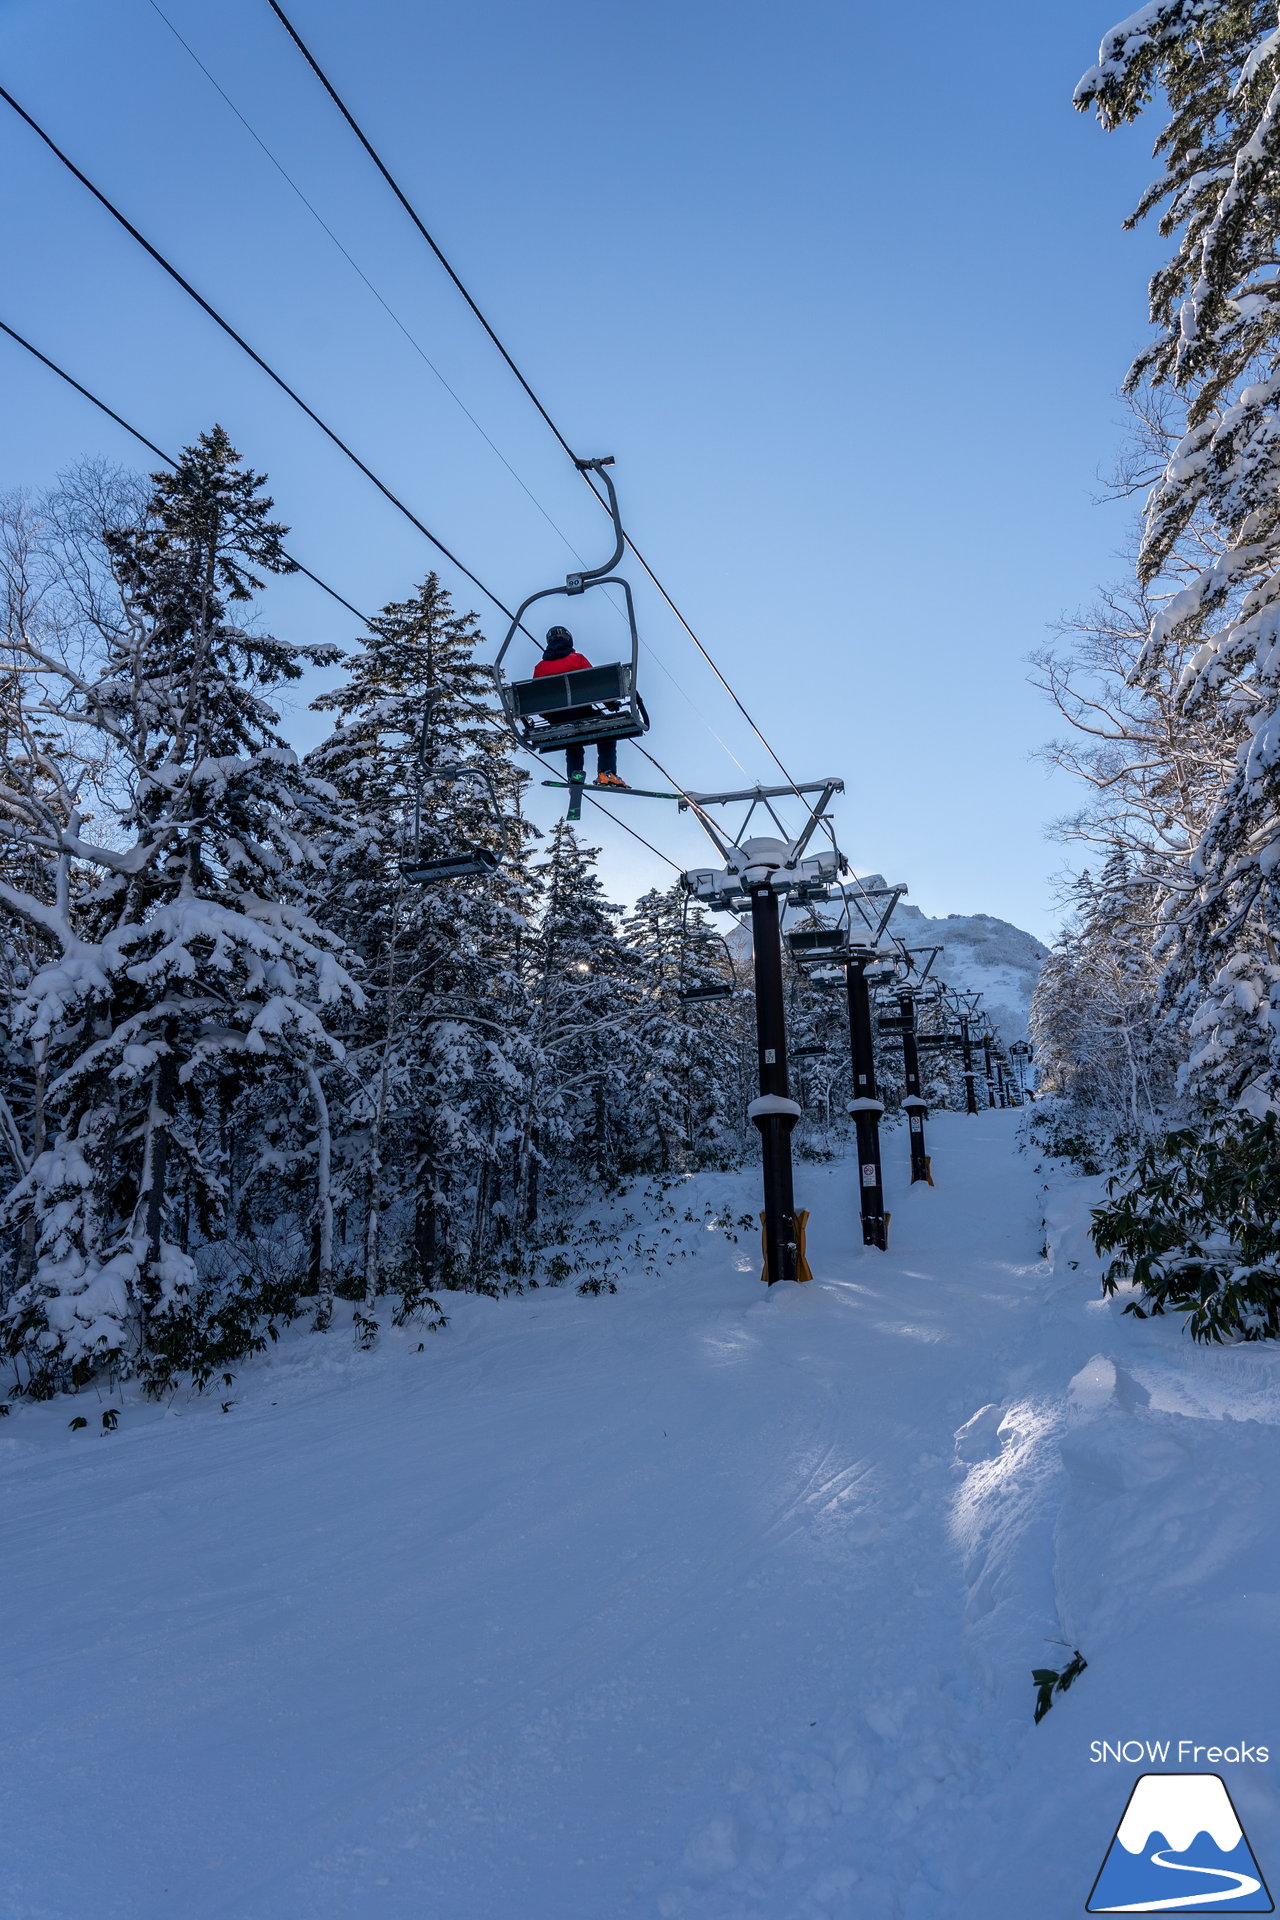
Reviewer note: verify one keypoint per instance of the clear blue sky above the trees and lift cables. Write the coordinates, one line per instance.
(843, 291)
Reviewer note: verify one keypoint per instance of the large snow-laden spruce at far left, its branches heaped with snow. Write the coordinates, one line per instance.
(189, 972)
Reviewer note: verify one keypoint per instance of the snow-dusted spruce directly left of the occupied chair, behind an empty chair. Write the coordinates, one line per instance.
(437, 1059)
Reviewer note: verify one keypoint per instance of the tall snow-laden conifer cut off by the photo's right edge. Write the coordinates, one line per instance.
(1216, 306)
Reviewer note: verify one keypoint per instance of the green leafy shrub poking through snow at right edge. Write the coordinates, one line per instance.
(1197, 1228)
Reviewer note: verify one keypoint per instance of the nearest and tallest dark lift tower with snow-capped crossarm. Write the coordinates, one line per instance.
(757, 876)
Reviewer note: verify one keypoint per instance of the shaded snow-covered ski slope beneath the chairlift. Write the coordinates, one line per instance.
(669, 1604)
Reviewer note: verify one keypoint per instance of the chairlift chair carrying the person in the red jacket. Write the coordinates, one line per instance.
(556, 711)
